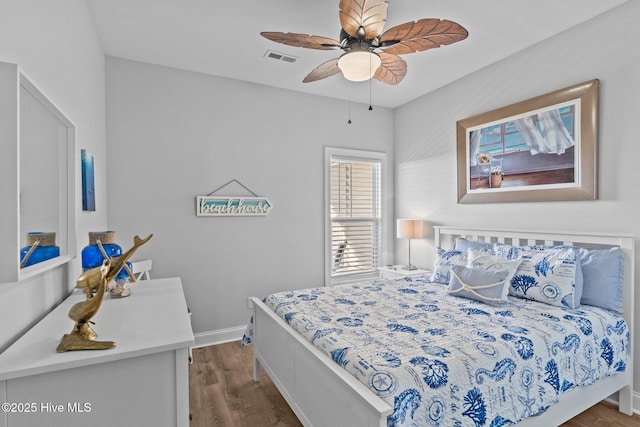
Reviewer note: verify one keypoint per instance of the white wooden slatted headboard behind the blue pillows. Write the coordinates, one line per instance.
(445, 237)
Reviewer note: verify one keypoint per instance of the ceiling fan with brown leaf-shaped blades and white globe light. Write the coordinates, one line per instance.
(368, 52)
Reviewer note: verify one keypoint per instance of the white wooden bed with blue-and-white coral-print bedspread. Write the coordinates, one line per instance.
(316, 382)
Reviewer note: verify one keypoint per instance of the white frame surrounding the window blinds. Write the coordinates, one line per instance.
(385, 218)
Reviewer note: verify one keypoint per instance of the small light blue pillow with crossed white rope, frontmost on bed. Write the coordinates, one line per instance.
(479, 285)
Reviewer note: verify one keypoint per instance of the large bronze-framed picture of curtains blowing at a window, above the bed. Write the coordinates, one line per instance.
(541, 149)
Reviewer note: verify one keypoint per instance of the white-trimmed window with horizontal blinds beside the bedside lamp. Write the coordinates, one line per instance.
(354, 217)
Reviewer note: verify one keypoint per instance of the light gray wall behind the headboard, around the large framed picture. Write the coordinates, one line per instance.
(425, 140)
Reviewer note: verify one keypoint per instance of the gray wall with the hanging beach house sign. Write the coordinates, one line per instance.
(173, 135)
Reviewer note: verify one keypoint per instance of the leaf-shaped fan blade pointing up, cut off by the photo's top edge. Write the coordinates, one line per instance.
(369, 14)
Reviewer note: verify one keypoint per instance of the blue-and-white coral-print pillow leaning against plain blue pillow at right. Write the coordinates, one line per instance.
(546, 274)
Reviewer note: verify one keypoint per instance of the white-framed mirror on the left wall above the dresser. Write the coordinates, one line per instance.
(40, 180)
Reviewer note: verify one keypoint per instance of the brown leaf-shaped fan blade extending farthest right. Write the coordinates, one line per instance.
(421, 35)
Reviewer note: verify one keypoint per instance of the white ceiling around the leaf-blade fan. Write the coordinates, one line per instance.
(222, 37)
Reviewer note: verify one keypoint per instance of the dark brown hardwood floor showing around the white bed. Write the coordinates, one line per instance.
(223, 394)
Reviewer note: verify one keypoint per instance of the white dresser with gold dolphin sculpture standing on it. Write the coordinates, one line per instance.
(143, 381)
